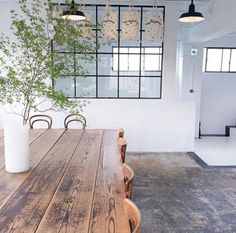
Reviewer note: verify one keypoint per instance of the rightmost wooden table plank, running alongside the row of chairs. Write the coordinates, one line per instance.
(109, 211)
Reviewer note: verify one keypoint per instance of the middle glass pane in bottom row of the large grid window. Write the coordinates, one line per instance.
(107, 87)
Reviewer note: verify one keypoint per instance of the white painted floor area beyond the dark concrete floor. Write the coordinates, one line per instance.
(216, 151)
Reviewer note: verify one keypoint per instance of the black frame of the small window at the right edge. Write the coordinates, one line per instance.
(222, 52)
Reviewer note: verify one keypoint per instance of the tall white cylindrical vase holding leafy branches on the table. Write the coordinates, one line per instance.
(16, 140)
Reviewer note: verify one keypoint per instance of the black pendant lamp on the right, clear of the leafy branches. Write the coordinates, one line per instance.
(191, 16)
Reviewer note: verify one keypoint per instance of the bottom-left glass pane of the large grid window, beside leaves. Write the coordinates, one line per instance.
(65, 85)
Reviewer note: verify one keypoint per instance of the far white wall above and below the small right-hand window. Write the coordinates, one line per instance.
(218, 106)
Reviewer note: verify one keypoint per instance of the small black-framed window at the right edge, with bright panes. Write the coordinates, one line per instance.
(220, 60)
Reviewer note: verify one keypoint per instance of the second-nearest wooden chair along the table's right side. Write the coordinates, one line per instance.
(128, 179)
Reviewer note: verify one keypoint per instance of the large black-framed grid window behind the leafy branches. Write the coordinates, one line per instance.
(108, 76)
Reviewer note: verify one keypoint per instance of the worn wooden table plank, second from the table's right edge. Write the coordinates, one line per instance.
(70, 208)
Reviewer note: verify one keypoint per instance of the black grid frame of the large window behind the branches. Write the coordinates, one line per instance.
(119, 75)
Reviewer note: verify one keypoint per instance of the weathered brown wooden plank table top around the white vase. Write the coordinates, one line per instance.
(75, 184)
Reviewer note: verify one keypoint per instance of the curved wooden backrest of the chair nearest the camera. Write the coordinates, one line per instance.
(134, 216)
